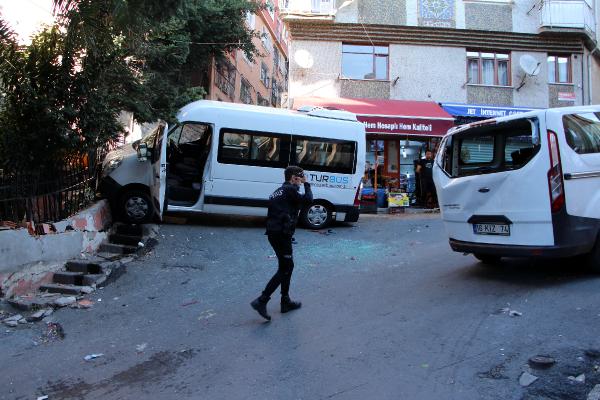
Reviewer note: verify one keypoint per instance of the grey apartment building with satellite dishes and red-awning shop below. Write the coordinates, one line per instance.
(410, 69)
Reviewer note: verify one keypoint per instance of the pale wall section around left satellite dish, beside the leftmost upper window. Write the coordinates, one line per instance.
(322, 78)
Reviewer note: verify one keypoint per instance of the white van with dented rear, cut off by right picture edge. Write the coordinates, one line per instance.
(524, 185)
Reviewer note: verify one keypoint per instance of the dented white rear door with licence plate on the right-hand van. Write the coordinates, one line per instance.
(492, 184)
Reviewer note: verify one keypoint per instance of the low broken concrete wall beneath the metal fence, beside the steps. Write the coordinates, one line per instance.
(23, 254)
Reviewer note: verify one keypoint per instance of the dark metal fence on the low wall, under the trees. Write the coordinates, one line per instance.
(49, 196)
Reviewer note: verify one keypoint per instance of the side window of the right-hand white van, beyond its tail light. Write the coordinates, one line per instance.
(582, 132)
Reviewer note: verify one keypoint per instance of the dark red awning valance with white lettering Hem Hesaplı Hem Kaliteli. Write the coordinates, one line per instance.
(403, 125)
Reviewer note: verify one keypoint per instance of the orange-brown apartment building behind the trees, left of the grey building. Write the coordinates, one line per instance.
(262, 81)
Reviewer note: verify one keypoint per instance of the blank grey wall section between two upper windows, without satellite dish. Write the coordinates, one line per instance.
(421, 77)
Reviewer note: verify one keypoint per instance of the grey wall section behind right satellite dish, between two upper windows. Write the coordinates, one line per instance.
(534, 92)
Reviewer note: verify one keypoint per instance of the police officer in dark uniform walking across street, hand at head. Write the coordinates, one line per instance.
(284, 206)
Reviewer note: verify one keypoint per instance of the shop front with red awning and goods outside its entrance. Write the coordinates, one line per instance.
(398, 133)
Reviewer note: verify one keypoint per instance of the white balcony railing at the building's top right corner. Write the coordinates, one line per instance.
(567, 14)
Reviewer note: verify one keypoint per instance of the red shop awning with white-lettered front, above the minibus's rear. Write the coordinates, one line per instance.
(380, 116)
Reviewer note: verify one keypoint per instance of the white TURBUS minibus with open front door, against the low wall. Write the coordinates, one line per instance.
(227, 158)
